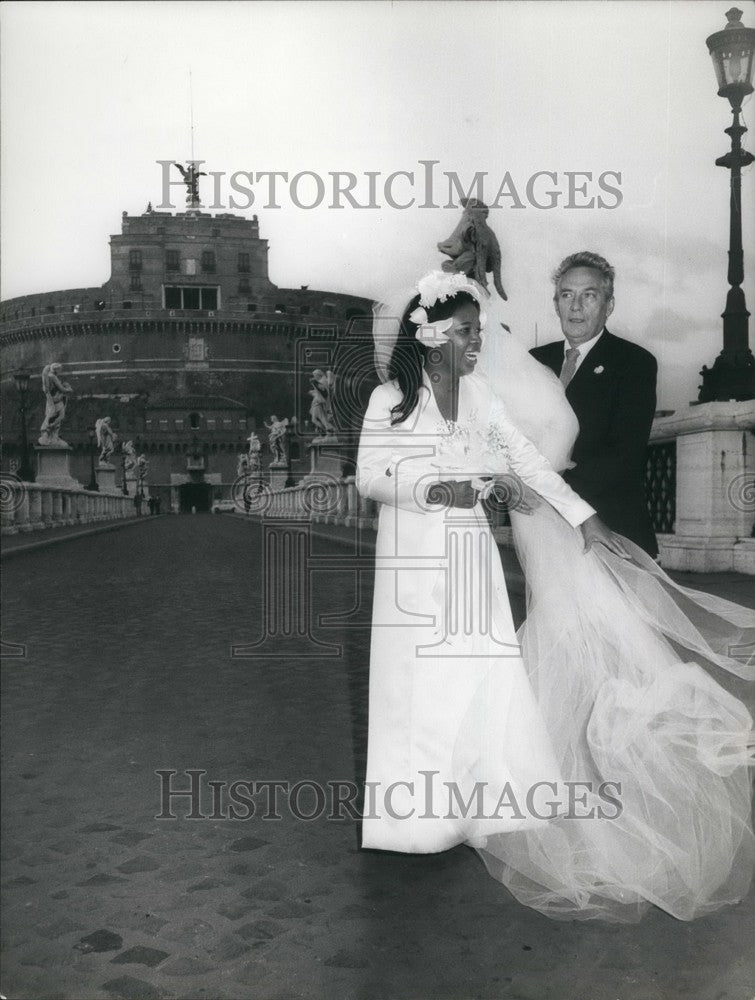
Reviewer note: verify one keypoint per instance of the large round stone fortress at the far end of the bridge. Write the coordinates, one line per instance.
(188, 347)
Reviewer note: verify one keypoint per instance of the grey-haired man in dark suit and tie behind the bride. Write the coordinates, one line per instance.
(610, 384)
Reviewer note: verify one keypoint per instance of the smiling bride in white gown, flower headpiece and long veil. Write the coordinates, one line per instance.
(593, 765)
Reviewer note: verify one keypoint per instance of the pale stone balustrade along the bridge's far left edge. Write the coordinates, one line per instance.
(34, 507)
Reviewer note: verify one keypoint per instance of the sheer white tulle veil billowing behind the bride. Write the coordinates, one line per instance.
(615, 651)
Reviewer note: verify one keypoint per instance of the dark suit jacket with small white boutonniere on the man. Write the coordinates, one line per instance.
(615, 408)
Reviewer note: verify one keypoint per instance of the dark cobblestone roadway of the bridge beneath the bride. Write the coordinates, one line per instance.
(127, 672)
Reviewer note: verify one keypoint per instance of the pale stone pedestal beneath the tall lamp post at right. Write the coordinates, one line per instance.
(715, 472)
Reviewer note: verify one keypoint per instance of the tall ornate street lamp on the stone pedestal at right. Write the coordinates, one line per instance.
(732, 376)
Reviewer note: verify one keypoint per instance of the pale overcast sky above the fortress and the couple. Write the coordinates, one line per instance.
(95, 93)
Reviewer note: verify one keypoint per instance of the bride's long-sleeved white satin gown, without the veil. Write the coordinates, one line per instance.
(442, 631)
